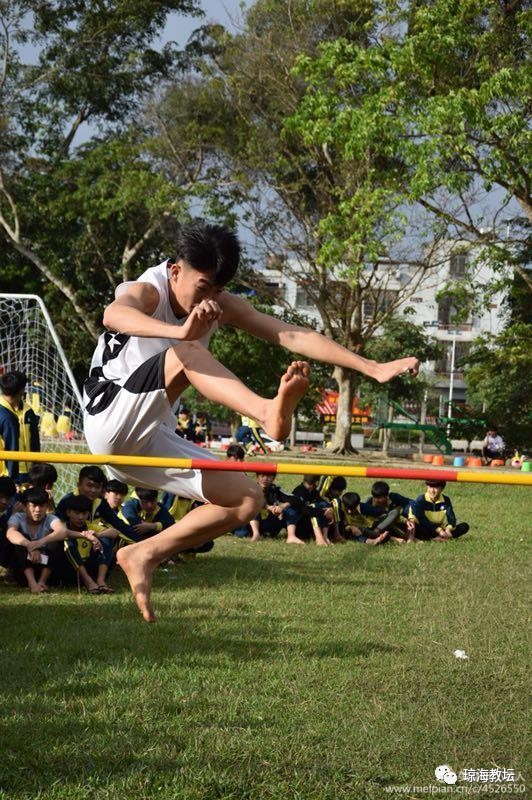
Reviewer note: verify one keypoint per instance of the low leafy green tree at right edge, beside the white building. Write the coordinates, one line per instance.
(497, 381)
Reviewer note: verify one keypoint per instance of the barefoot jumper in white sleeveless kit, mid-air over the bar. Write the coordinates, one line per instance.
(156, 344)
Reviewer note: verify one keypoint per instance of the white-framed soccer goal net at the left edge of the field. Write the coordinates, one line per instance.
(29, 343)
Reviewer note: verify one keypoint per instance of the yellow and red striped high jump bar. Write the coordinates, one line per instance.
(460, 476)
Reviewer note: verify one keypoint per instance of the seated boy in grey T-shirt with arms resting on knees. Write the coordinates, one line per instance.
(34, 532)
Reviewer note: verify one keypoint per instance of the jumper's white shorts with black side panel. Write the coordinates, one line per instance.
(137, 419)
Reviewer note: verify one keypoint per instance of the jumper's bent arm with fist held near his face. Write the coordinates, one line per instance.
(131, 314)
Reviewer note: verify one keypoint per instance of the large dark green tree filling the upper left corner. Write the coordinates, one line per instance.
(81, 216)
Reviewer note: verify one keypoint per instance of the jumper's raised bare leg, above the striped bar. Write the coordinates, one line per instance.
(191, 362)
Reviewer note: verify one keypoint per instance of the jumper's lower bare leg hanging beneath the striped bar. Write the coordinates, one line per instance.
(232, 501)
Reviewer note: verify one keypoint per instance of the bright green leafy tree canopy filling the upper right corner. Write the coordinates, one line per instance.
(442, 92)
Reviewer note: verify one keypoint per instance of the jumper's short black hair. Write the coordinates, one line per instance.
(209, 248)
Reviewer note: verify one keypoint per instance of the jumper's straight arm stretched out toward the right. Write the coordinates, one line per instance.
(306, 342)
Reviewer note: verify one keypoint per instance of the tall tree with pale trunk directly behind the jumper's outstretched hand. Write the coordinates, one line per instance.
(333, 224)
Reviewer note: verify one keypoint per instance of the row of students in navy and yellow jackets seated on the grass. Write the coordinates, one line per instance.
(73, 542)
